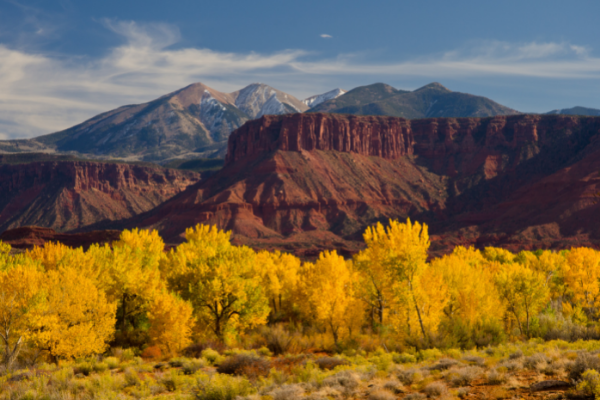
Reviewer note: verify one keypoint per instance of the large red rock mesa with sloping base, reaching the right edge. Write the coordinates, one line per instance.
(314, 181)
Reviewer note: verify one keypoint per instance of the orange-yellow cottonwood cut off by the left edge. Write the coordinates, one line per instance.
(20, 299)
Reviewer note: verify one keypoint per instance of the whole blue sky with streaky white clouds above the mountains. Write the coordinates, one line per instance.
(64, 61)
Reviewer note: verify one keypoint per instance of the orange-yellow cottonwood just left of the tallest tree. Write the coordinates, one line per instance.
(328, 286)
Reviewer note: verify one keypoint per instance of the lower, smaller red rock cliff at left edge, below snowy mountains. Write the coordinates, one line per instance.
(68, 195)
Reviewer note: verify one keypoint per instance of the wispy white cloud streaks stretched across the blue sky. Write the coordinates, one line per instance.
(41, 94)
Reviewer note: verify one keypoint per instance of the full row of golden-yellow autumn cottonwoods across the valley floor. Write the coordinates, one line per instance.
(68, 303)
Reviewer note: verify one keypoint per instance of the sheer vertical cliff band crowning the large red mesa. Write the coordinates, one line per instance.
(390, 137)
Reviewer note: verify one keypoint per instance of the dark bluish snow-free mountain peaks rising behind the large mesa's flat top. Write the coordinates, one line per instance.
(433, 100)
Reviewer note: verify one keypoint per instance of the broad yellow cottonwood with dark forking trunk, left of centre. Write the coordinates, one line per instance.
(221, 281)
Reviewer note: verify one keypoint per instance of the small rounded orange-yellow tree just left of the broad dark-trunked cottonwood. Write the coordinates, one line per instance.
(171, 323)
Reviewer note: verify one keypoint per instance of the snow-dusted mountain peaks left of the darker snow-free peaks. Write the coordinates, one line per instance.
(193, 122)
